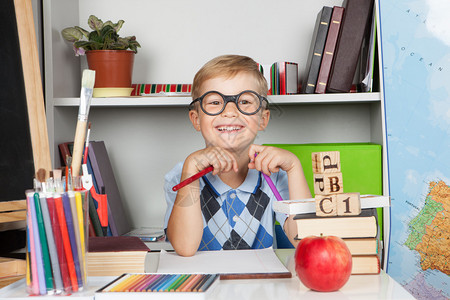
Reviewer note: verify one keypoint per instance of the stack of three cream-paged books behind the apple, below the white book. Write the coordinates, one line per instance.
(360, 233)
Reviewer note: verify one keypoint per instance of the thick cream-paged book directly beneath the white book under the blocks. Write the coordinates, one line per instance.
(362, 226)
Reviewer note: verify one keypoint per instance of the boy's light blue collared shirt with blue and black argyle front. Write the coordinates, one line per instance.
(234, 218)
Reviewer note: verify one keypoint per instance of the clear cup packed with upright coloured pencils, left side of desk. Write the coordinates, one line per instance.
(57, 235)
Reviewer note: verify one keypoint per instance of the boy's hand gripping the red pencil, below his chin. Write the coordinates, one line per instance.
(221, 160)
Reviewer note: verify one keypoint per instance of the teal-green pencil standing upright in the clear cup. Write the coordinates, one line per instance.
(44, 243)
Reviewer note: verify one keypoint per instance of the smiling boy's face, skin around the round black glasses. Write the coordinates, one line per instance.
(230, 130)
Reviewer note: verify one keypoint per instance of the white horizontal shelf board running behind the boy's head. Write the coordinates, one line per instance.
(184, 101)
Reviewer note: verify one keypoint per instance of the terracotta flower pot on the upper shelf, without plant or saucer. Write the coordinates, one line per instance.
(113, 68)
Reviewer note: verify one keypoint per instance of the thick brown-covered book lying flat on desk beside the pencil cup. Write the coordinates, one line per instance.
(115, 255)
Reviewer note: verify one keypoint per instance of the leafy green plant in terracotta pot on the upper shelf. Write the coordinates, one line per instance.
(110, 55)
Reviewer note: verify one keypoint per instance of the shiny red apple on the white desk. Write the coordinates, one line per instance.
(323, 264)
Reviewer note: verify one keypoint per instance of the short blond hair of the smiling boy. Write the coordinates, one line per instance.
(228, 66)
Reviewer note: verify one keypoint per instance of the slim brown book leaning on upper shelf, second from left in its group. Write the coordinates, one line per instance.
(329, 50)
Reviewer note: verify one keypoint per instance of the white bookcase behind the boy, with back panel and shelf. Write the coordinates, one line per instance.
(147, 136)
